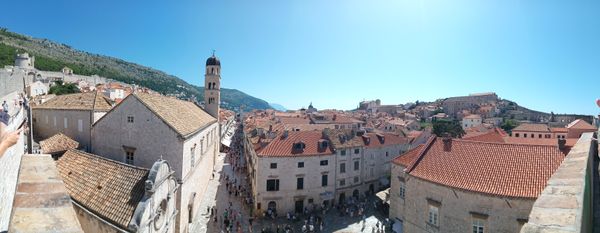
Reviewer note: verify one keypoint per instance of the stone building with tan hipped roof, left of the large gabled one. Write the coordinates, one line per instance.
(71, 115)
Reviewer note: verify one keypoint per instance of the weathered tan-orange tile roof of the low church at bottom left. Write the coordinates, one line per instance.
(108, 188)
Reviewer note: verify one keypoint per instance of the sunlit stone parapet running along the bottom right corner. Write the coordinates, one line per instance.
(566, 204)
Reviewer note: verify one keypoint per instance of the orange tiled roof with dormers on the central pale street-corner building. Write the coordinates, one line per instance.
(283, 146)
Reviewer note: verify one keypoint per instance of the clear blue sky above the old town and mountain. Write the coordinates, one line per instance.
(544, 54)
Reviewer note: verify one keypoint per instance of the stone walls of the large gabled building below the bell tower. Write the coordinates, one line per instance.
(150, 139)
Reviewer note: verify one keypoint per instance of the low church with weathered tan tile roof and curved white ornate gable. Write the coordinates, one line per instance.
(110, 196)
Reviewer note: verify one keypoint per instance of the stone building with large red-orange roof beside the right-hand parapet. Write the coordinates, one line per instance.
(451, 185)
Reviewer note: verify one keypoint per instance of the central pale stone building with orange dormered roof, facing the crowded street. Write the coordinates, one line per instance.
(295, 170)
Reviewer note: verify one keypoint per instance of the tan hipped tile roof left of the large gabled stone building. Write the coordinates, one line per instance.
(78, 101)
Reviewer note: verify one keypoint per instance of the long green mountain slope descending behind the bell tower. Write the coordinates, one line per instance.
(52, 56)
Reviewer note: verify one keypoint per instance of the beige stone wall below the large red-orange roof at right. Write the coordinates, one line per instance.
(457, 208)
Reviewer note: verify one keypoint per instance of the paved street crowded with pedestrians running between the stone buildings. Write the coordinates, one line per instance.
(333, 222)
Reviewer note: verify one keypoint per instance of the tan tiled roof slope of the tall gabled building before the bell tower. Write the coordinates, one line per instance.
(183, 116)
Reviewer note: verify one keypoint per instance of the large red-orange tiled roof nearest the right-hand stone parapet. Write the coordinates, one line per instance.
(502, 169)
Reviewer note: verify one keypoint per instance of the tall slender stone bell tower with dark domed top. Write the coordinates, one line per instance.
(212, 86)
